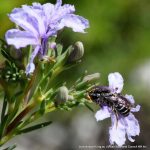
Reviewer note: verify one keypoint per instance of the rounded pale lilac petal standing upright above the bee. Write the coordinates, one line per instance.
(115, 82)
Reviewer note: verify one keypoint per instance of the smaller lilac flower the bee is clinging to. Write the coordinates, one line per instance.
(122, 125)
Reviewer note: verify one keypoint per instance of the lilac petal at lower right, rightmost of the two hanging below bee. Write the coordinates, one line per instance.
(132, 127)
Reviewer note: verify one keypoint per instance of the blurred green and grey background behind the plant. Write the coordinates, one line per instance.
(118, 40)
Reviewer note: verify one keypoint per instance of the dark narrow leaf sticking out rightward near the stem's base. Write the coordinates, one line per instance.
(35, 127)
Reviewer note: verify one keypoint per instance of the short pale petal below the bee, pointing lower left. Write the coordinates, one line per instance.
(103, 113)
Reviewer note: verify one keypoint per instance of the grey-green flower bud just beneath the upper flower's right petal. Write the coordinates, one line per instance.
(76, 52)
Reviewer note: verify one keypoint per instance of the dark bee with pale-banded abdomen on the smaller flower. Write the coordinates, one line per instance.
(103, 96)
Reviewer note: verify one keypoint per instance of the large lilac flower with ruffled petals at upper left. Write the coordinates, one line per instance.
(39, 22)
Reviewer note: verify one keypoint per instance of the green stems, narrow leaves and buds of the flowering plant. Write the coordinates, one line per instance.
(27, 98)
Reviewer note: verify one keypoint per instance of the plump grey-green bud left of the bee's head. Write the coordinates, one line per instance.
(62, 95)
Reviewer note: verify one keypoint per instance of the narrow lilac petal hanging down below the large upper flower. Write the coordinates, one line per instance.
(31, 67)
